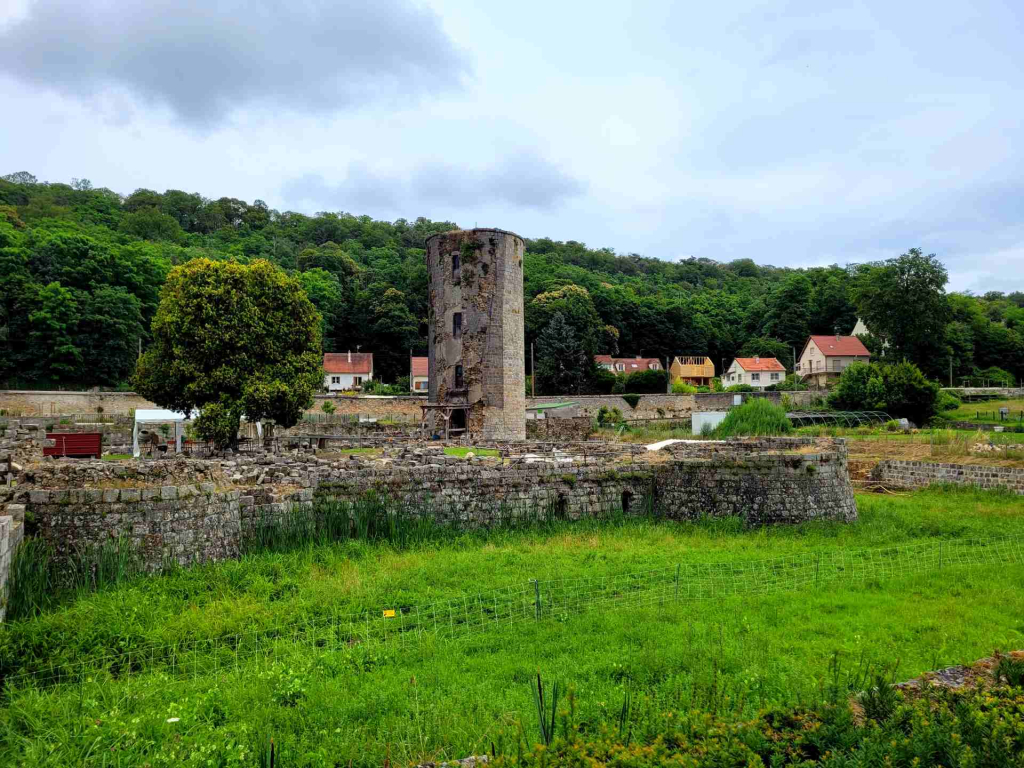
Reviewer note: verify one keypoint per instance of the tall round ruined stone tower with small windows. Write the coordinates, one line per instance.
(477, 363)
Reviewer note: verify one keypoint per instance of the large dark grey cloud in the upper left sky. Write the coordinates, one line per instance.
(207, 59)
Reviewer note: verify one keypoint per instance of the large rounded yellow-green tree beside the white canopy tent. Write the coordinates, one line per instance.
(233, 340)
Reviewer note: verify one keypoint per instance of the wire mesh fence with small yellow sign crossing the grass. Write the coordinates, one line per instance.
(536, 601)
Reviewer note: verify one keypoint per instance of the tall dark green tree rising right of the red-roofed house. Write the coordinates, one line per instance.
(904, 302)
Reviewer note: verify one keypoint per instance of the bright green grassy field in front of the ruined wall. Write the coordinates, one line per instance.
(429, 699)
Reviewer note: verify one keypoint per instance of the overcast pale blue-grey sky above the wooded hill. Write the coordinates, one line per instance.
(794, 134)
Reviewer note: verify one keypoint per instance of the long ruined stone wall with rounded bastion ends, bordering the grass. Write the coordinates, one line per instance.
(762, 482)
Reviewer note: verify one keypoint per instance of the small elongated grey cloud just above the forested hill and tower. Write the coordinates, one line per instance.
(522, 182)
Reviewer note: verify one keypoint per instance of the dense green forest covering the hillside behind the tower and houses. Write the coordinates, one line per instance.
(101, 248)
